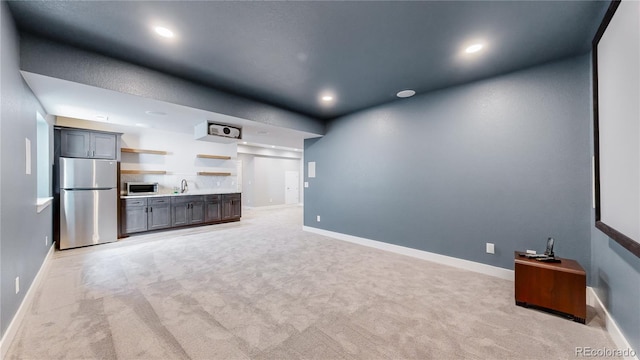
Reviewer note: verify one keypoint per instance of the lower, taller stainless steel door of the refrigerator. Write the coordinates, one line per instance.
(87, 217)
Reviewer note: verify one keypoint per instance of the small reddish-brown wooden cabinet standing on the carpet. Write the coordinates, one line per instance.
(558, 287)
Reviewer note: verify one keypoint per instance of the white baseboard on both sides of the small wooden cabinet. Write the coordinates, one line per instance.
(592, 299)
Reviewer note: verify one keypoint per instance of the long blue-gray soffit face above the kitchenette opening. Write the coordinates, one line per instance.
(45, 57)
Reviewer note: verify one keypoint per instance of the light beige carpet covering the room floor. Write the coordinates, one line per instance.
(264, 289)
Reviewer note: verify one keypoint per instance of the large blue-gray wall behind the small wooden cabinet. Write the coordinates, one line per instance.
(504, 160)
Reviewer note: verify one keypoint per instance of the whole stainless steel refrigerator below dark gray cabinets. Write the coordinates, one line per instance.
(88, 202)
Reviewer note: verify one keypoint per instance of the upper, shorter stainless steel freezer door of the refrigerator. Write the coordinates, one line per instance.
(87, 173)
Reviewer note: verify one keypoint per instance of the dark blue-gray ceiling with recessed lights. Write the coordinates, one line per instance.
(288, 53)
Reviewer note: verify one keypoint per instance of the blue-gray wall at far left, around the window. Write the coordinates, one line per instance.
(22, 229)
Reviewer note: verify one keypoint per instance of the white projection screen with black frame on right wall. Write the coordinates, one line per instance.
(616, 62)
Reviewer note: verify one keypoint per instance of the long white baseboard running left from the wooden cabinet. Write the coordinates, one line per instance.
(420, 254)
